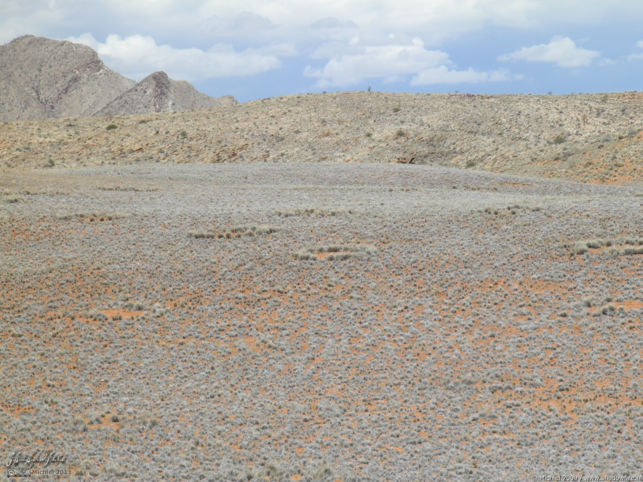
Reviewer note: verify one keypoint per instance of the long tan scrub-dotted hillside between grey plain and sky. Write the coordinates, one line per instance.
(588, 137)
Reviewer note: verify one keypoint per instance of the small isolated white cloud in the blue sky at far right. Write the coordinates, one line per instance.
(561, 51)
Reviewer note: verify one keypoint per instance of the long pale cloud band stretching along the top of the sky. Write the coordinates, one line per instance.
(202, 21)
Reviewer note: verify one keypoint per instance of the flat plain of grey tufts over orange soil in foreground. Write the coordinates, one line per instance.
(320, 321)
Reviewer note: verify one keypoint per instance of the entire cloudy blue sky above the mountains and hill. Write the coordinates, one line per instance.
(255, 49)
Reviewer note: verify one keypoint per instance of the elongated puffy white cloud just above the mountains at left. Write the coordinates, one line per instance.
(137, 56)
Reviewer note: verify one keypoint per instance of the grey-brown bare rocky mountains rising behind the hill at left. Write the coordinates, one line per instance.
(45, 78)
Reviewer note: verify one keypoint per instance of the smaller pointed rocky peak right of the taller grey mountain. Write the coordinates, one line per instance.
(158, 93)
